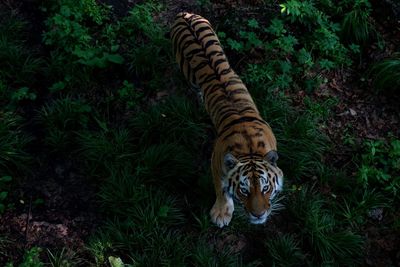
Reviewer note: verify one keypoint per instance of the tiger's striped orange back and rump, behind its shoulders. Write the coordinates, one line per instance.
(204, 64)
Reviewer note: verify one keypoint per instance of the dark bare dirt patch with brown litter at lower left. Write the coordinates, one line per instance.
(56, 209)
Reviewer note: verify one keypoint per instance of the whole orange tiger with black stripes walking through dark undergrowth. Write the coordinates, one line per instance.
(244, 158)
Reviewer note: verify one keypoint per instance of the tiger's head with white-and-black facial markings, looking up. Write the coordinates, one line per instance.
(254, 182)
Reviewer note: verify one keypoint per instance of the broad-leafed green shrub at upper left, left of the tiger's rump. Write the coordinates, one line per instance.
(77, 41)
